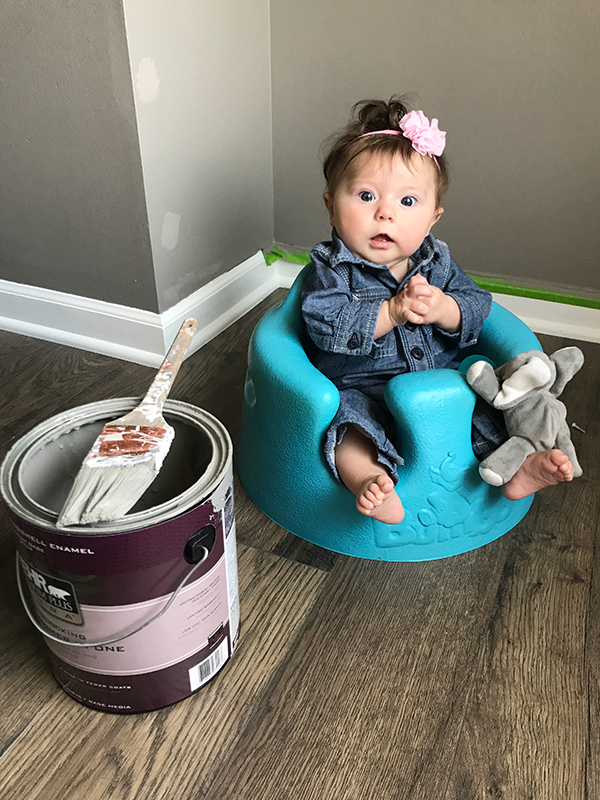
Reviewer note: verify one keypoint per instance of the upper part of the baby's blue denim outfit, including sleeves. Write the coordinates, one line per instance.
(341, 299)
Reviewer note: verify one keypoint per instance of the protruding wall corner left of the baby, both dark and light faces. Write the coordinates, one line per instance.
(135, 145)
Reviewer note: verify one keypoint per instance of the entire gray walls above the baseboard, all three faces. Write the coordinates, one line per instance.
(136, 162)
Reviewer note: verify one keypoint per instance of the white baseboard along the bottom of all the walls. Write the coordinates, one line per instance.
(144, 337)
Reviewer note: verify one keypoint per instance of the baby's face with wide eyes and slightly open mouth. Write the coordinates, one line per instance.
(383, 208)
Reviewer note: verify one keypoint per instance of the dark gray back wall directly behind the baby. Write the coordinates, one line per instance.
(516, 86)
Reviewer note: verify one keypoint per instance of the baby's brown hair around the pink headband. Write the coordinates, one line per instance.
(369, 116)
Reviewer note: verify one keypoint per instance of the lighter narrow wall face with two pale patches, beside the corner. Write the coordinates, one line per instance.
(201, 77)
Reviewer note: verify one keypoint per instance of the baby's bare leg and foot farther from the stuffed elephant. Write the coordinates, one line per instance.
(358, 467)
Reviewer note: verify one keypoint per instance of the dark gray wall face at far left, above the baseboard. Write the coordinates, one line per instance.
(72, 208)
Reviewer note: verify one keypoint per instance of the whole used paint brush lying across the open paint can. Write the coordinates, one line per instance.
(129, 452)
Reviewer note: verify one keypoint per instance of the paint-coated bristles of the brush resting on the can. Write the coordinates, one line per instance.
(104, 494)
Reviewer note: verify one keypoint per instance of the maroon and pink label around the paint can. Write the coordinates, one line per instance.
(181, 639)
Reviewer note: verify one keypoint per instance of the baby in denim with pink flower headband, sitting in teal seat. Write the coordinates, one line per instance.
(385, 297)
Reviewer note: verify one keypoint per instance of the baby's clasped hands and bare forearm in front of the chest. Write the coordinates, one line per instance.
(420, 303)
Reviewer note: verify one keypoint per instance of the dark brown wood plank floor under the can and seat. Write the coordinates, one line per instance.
(470, 677)
